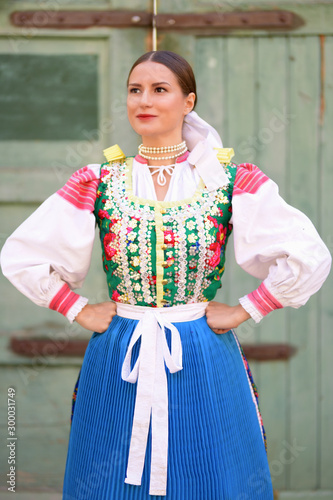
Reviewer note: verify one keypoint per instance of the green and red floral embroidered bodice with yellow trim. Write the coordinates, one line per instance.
(161, 253)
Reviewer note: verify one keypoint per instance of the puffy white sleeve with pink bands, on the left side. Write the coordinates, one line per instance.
(48, 256)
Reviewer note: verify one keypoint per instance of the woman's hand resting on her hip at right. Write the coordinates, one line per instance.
(221, 317)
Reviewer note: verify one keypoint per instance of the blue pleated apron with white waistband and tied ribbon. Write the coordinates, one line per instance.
(165, 409)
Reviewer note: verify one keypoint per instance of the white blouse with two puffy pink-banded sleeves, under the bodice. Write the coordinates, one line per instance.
(49, 255)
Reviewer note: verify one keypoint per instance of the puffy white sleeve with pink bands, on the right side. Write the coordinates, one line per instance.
(275, 243)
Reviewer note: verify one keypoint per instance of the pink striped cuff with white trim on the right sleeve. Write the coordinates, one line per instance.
(259, 303)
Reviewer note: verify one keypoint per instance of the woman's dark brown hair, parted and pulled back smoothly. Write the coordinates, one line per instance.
(177, 64)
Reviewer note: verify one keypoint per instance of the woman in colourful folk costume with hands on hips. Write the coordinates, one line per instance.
(165, 404)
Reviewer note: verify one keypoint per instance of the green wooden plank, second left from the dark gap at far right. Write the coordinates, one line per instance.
(270, 143)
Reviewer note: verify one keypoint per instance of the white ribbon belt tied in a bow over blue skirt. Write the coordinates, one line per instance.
(152, 389)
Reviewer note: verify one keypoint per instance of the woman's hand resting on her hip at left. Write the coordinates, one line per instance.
(96, 317)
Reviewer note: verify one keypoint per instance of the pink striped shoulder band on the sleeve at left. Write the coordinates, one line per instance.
(80, 189)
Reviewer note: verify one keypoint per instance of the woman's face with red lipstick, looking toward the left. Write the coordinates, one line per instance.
(156, 105)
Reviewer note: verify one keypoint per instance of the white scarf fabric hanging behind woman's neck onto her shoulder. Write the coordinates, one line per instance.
(201, 139)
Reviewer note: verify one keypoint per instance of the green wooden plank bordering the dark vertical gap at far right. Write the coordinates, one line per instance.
(303, 190)
